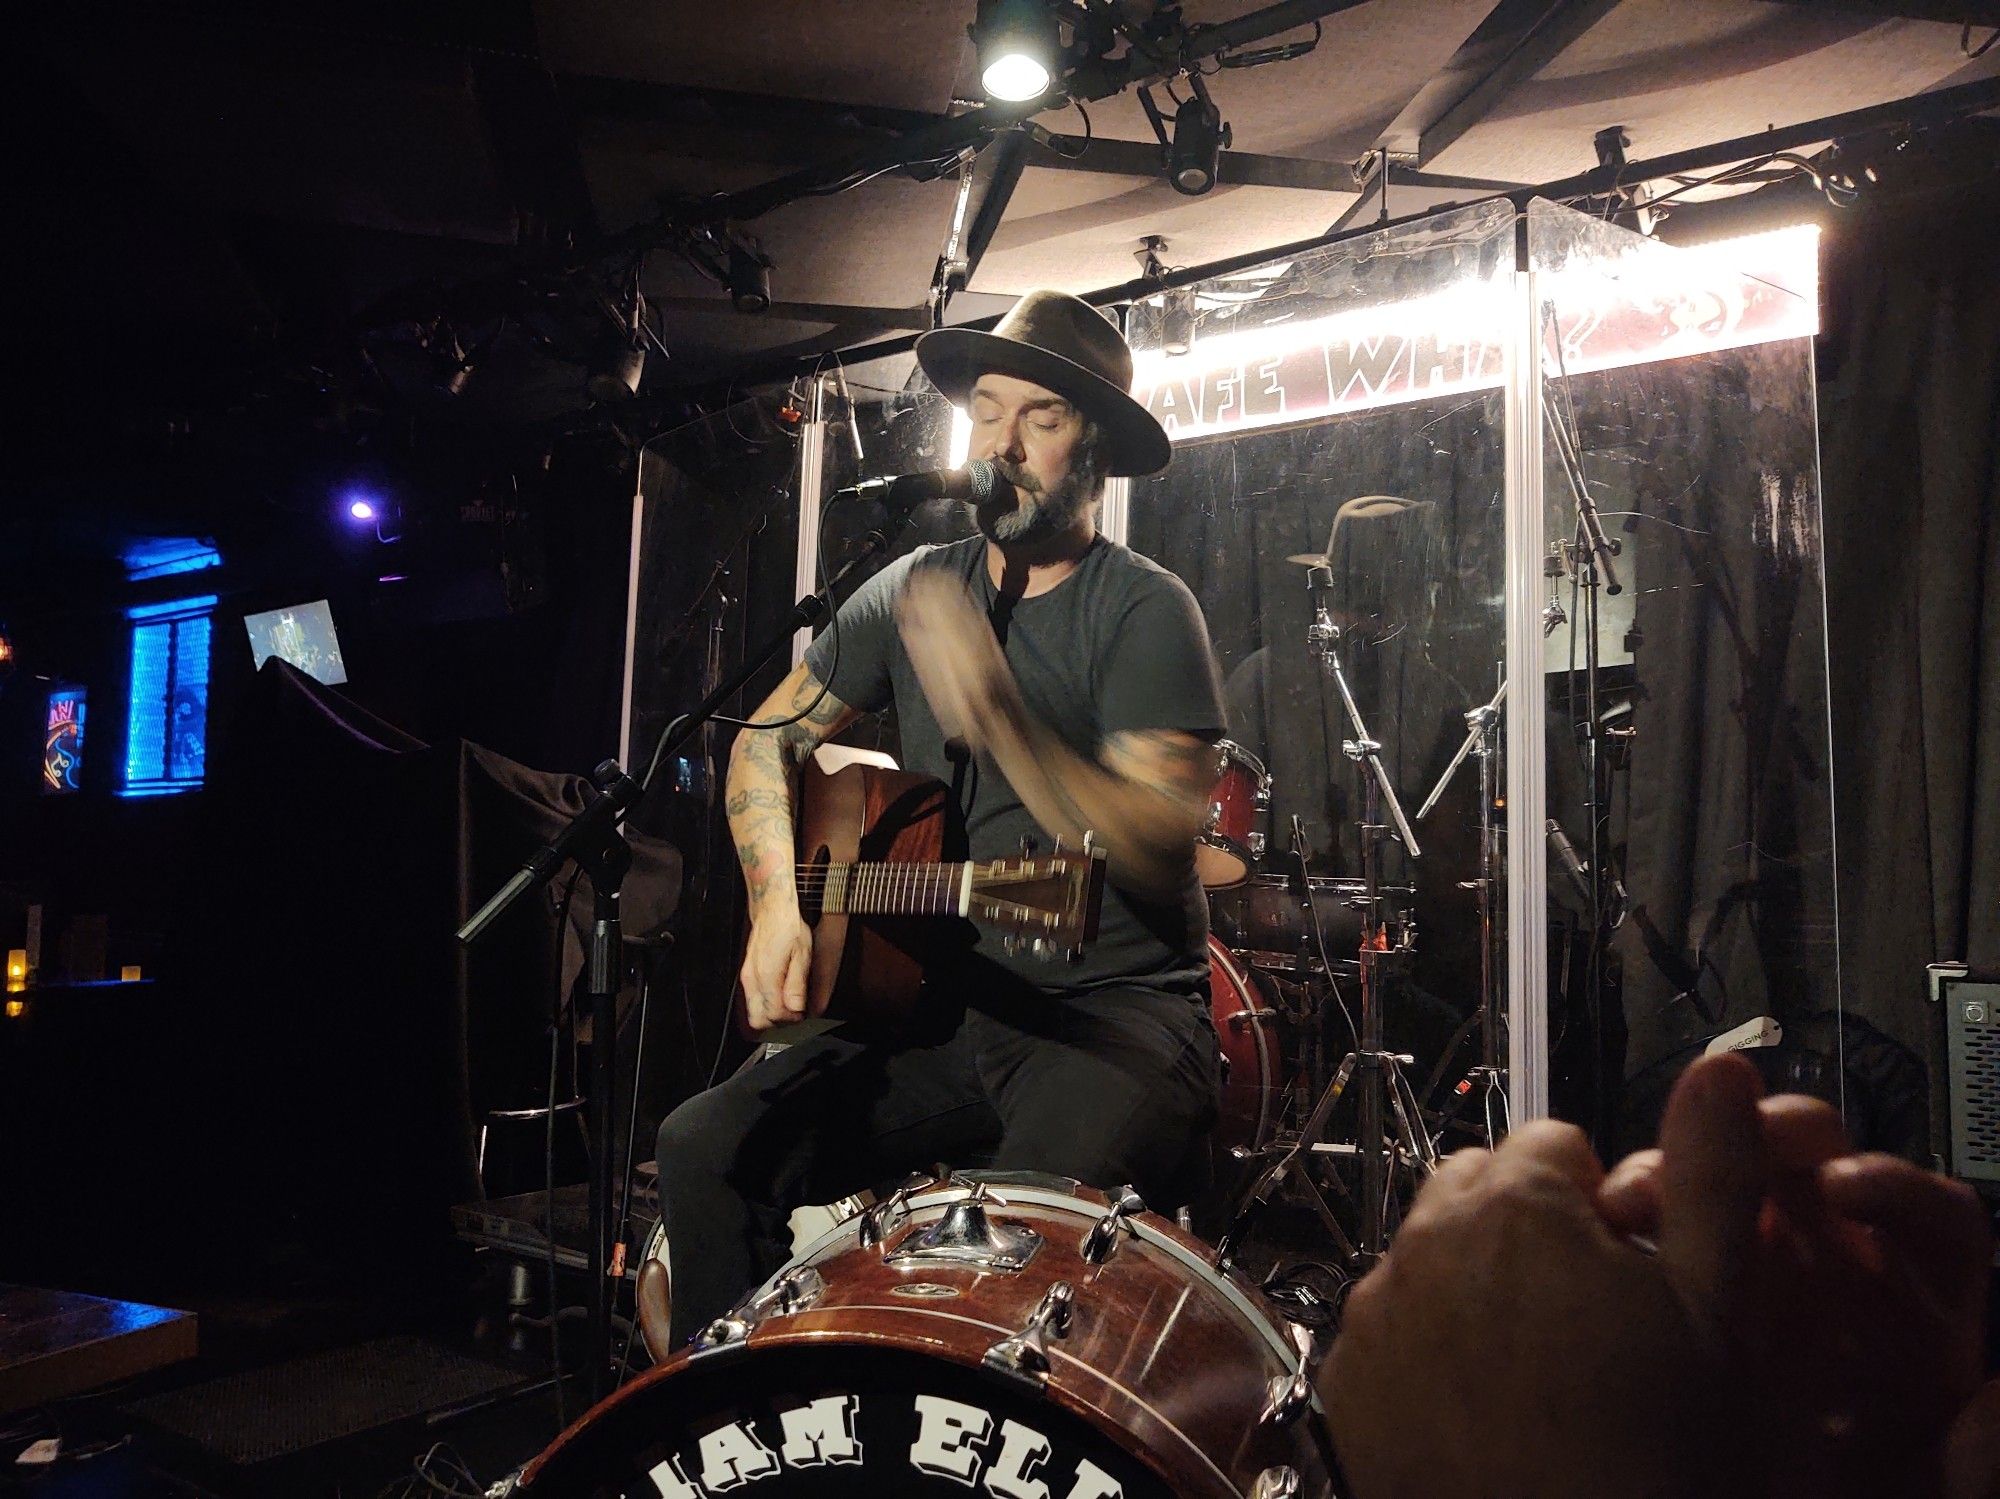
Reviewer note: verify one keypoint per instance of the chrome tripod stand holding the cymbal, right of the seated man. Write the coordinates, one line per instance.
(1369, 1066)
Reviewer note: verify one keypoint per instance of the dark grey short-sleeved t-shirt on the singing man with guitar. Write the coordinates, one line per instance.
(1115, 647)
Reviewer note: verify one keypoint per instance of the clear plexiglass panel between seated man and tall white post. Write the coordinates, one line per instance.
(1345, 409)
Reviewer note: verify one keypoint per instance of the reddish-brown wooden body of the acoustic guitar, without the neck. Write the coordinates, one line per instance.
(871, 968)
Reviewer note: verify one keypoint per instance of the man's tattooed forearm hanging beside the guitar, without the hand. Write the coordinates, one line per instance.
(765, 782)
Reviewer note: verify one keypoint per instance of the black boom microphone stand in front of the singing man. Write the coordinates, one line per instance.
(599, 848)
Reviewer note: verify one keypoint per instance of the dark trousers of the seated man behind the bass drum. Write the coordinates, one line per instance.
(1111, 1088)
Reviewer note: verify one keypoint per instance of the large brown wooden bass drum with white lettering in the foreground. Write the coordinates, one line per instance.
(1003, 1334)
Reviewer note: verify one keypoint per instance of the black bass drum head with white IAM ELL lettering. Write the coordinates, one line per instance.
(837, 1422)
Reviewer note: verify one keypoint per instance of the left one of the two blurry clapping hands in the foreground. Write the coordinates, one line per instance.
(1515, 1344)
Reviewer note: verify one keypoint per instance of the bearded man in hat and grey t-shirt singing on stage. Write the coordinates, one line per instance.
(1061, 687)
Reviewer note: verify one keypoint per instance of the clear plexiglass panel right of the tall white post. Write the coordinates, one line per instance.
(1679, 417)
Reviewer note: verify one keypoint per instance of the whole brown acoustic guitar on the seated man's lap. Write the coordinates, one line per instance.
(887, 890)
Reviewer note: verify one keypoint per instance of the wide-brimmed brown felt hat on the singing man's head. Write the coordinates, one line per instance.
(1069, 347)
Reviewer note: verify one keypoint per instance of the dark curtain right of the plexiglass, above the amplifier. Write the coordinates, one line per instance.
(1909, 427)
